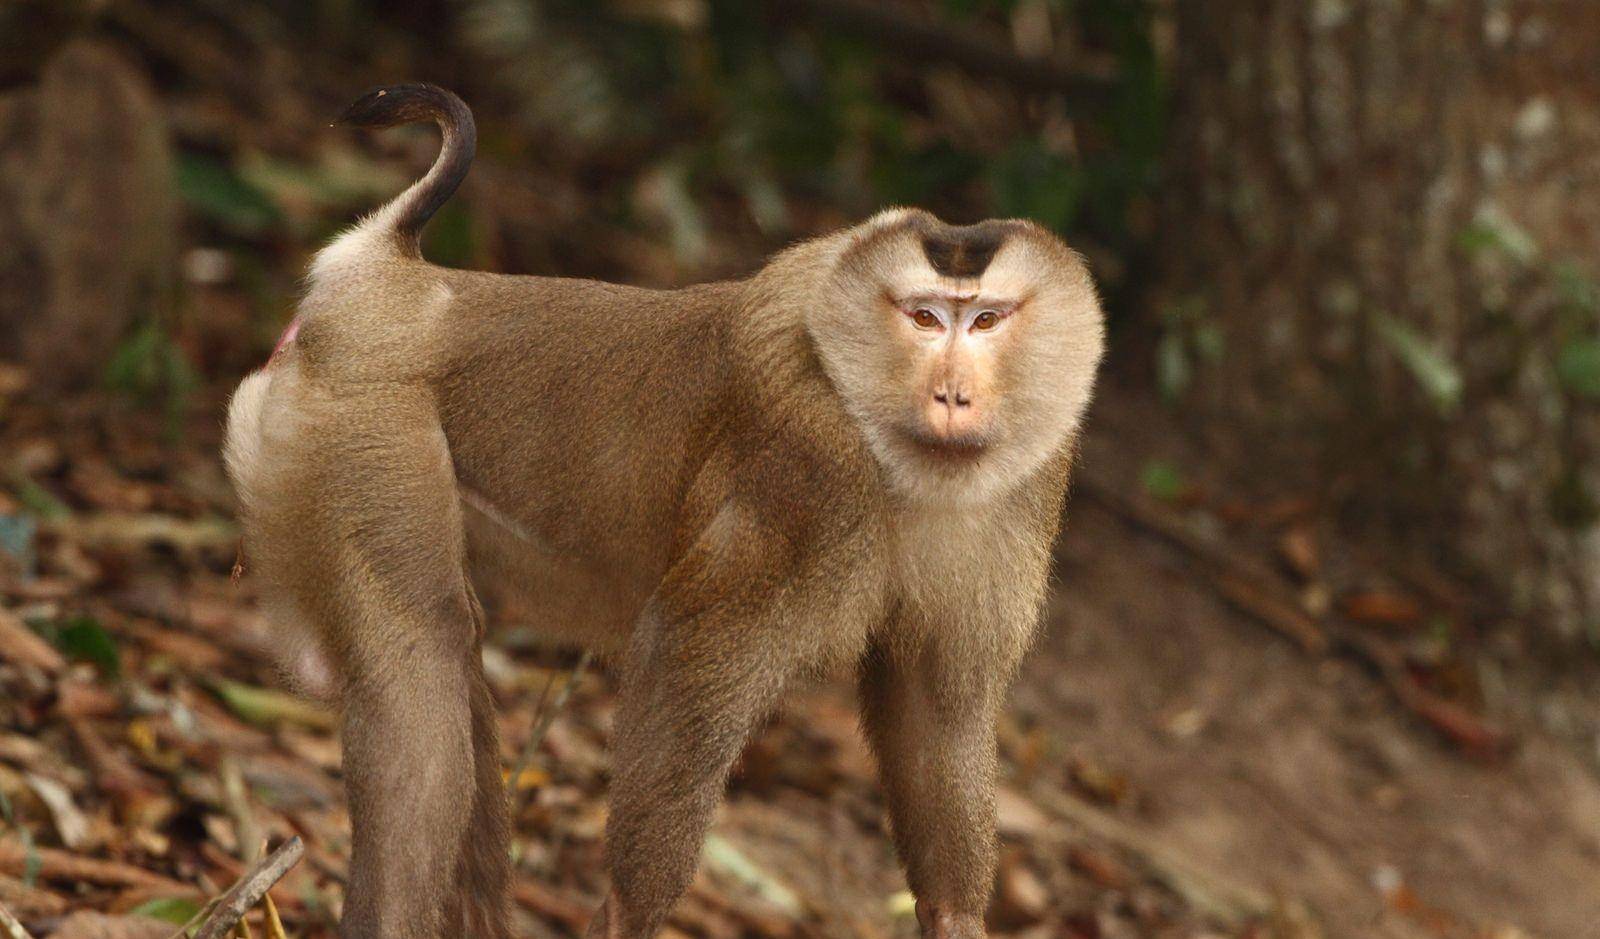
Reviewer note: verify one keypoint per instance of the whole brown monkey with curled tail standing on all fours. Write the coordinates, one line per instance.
(855, 458)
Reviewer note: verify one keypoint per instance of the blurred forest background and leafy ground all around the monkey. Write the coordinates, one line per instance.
(1324, 649)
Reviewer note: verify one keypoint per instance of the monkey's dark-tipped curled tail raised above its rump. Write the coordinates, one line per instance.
(398, 105)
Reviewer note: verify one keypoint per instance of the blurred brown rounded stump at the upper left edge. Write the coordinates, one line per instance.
(87, 214)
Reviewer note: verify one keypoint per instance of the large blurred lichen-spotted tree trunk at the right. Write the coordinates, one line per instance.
(1390, 210)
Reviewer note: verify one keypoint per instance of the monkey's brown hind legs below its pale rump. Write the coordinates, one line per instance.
(375, 548)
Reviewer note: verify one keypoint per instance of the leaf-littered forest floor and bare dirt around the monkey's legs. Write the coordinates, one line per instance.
(1202, 745)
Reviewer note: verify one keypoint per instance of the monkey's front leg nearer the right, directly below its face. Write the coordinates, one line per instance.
(930, 714)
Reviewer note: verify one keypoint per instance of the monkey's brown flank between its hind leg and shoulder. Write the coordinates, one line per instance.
(623, 383)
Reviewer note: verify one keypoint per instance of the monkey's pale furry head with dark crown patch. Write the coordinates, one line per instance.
(967, 354)
